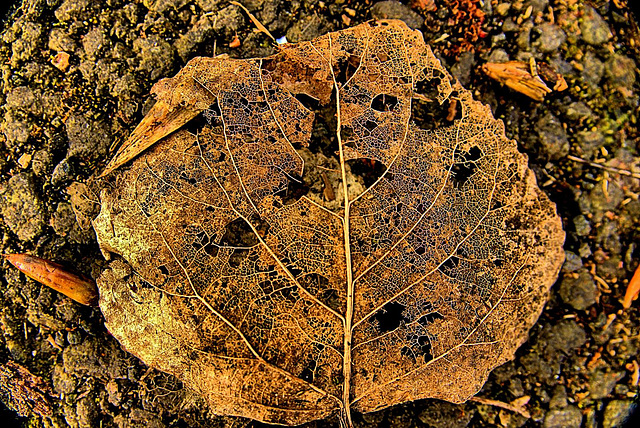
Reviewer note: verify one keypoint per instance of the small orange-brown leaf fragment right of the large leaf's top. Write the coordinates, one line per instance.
(533, 79)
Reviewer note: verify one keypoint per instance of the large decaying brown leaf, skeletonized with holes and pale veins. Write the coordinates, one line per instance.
(233, 271)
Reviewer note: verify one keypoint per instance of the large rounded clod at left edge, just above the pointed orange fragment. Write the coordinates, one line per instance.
(21, 207)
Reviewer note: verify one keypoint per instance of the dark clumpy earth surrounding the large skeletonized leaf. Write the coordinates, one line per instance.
(75, 80)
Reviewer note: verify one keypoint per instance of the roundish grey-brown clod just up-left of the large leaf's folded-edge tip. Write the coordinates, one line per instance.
(88, 140)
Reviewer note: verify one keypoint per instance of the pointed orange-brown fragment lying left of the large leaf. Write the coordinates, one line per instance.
(61, 279)
